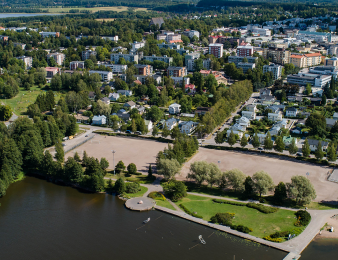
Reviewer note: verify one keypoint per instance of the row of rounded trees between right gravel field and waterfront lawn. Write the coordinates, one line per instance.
(260, 183)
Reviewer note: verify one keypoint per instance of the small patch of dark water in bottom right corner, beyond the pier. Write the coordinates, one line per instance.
(324, 248)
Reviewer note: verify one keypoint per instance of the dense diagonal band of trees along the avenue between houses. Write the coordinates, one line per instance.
(228, 100)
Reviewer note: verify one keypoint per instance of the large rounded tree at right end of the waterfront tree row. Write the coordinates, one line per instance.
(301, 189)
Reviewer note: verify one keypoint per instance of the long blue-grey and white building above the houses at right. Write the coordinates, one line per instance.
(315, 80)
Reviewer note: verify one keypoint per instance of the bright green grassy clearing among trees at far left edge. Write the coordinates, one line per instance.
(20, 102)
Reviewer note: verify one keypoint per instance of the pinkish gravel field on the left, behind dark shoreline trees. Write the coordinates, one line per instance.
(129, 150)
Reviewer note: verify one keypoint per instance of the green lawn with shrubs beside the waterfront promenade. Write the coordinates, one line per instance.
(262, 224)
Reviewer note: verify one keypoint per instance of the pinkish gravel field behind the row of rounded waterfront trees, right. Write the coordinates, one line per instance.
(279, 169)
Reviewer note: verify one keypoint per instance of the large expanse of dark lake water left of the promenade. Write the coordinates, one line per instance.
(41, 220)
